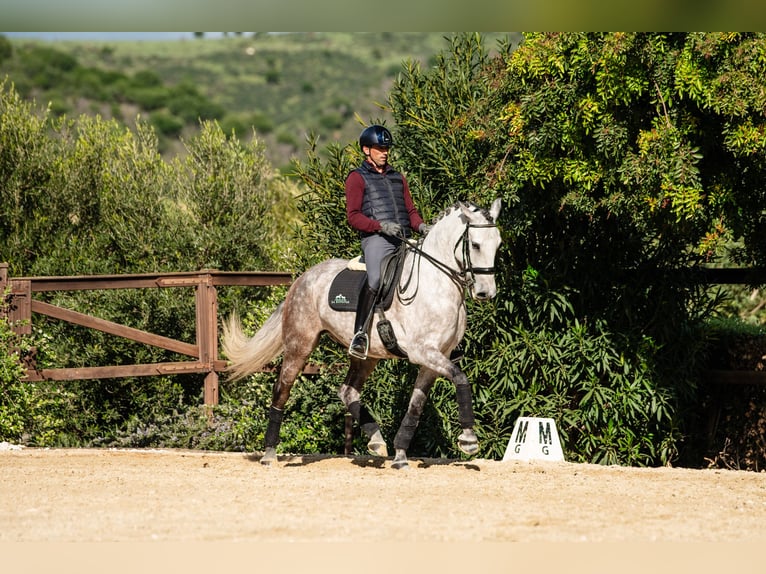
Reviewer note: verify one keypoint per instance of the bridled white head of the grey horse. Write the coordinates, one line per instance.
(475, 253)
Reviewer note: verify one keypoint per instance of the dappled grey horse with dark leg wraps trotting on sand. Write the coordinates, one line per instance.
(427, 316)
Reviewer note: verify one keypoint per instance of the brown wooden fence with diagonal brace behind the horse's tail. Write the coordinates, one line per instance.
(203, 352)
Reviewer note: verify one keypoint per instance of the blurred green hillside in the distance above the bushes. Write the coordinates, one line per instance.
(282, 87)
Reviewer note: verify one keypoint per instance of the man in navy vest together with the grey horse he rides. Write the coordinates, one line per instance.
(426, 316)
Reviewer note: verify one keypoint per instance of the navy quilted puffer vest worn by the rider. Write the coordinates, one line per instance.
(384, 196)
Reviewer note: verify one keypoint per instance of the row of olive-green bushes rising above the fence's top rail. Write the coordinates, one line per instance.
(106, 201)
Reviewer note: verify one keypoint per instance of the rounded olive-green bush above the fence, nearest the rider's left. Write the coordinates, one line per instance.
(235, 201)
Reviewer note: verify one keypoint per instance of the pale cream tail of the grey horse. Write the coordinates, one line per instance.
(250, 354)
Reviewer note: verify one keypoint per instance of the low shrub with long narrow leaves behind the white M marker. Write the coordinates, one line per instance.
(540, 359)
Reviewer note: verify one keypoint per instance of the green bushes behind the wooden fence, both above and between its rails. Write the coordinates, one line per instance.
(87, 196)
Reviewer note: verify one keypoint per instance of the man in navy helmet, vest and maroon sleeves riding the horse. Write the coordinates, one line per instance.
(379, 206)
